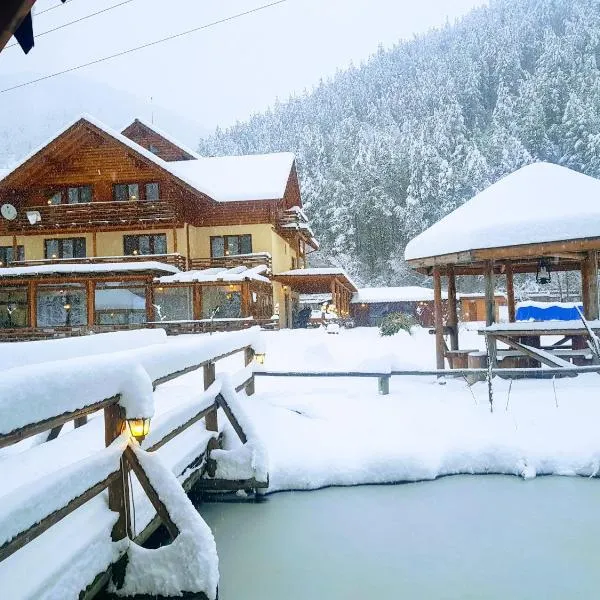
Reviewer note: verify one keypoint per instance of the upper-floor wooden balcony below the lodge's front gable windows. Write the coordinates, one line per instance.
(92, 215)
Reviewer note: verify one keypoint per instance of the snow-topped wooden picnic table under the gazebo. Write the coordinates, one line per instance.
(524, 340)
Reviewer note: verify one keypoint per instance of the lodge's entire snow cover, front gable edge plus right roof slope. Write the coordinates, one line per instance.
(224, 179)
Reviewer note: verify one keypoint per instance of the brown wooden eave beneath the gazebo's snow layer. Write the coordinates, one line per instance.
(565, 255)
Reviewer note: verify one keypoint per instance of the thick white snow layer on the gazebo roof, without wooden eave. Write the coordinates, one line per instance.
(538, 203)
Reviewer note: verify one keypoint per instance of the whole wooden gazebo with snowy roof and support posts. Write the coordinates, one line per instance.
(541, 218)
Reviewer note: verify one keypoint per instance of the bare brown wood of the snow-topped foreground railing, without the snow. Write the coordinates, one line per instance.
(117, 482)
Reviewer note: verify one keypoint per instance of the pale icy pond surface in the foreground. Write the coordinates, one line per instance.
(480, 537)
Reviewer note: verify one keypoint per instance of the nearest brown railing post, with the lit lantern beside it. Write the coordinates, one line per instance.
(118, 490)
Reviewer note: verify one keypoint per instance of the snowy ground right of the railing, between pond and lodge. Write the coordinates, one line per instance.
(322, 432)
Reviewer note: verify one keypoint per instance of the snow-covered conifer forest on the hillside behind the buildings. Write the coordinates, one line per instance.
(387, 148)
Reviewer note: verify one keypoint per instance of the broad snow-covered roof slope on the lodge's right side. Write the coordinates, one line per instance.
(238, 178)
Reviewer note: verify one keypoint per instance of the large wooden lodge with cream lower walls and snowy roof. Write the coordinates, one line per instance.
(101, 229)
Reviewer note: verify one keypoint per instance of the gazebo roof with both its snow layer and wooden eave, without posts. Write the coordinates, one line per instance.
(540, 210)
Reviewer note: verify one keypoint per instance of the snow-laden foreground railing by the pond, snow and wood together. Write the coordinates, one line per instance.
(48, 395)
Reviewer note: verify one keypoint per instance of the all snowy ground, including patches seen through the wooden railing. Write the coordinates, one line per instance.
(318, 432)
